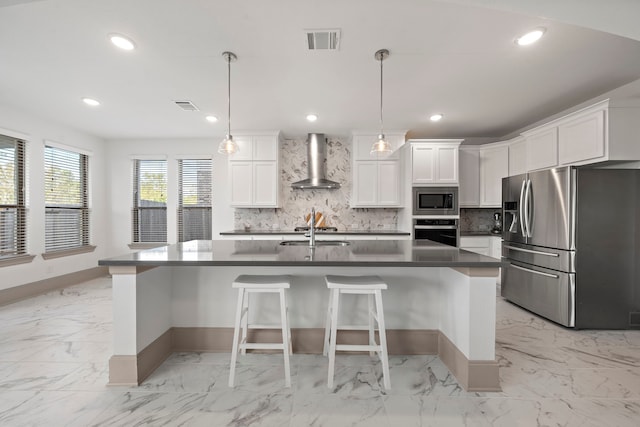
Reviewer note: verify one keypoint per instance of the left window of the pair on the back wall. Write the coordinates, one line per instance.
(149, 216)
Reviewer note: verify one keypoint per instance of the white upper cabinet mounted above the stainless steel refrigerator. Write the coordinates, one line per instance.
(598, 133)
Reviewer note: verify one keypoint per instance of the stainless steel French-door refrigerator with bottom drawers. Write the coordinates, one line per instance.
(572, 238)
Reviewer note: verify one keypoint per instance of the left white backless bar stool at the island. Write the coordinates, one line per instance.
(246, 285)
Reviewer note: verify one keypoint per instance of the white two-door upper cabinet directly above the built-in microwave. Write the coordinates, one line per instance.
(434, 161)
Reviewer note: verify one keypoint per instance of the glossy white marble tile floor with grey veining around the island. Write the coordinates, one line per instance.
(54, 350)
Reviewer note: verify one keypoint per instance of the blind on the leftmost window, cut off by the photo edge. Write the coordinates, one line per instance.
(13, 211)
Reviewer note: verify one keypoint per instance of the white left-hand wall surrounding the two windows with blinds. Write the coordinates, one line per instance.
(36, 131)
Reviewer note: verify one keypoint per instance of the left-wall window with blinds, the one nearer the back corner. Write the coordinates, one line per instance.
(66, 200)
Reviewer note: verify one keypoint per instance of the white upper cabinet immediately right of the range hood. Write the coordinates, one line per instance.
(376, 179)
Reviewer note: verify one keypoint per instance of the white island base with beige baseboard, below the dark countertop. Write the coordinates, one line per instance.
(446, 311)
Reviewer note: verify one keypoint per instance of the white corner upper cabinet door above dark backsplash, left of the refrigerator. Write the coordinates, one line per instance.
(494, 165)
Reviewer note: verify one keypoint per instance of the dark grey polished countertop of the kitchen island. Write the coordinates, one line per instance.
(379, 253)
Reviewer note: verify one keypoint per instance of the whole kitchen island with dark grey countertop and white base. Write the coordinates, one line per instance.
(441, 300)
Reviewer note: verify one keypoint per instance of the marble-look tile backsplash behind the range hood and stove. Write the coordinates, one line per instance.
(334, 204)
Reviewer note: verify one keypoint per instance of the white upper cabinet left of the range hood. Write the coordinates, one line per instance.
(253, 171)
